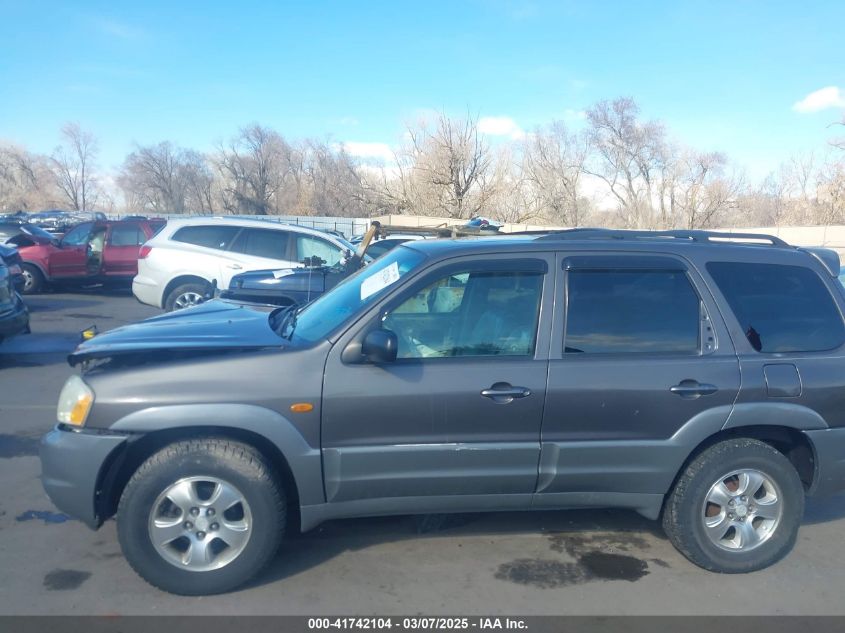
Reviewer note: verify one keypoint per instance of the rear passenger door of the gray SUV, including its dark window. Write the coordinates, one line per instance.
(640, 350)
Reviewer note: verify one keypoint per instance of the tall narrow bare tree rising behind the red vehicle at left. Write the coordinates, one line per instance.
(73, 165)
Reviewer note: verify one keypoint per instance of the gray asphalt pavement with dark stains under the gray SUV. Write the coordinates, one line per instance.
(572, 562)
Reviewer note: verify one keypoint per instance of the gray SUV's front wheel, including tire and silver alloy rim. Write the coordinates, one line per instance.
(201, 517)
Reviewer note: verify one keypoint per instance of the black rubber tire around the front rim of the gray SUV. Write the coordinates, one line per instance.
(235, 463)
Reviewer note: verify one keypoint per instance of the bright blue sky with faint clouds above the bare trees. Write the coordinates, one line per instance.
(722, 75)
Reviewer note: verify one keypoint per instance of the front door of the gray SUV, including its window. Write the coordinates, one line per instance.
(459, 411)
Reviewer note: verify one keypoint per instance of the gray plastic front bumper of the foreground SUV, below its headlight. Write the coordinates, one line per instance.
(72, 463)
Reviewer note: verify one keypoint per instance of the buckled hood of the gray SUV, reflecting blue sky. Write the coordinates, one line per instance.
(212, 326)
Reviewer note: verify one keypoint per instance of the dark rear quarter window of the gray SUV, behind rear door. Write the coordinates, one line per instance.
(780, 308)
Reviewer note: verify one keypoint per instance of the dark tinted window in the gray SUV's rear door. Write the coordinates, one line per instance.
(631, 311)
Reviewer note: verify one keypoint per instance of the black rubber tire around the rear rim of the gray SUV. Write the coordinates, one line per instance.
(683, 513)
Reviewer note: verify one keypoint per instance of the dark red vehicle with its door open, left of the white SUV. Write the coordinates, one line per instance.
(91, 252)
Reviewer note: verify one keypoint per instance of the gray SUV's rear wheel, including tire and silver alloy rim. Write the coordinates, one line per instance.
(736, 508)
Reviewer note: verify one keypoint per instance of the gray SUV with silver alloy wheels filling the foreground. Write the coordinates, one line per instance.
(696, 378)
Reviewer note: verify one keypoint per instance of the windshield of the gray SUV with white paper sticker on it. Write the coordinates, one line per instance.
(318, 319)
